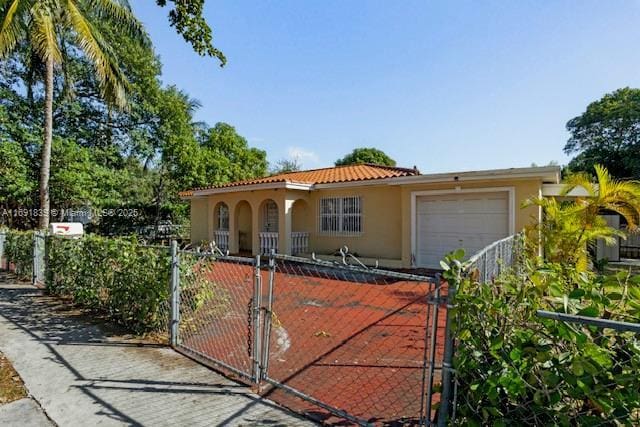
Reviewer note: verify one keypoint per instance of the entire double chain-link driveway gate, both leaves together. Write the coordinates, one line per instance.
(330, 341)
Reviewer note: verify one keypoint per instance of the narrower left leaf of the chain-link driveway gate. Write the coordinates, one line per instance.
(215, 315)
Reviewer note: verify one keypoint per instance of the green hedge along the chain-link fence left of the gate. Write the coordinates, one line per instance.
(119, 277)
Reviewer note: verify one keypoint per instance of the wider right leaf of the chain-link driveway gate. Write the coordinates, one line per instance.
(353, 343)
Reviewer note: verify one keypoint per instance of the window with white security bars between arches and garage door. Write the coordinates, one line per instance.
(340, 216)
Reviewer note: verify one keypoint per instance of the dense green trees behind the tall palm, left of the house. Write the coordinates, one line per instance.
(102, 157)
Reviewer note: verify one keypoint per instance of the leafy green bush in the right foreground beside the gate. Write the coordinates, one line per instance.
(514, 368)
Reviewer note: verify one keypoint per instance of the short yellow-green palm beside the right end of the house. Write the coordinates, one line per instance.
(570, 226)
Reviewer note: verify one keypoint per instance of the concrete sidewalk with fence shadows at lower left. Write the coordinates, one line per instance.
(81, 376)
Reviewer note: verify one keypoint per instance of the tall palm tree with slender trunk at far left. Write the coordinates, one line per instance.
(43, 25)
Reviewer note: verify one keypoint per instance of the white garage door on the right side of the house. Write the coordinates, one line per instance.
(448, 222)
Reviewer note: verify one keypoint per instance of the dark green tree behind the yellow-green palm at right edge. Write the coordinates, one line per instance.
(608, 133)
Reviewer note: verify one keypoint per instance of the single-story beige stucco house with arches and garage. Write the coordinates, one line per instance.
(397, 216)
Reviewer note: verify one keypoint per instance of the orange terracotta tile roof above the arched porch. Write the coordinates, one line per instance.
(350, 173)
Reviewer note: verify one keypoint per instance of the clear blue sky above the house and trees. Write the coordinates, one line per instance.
(446, 86)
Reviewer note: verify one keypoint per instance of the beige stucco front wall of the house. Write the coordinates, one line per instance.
(386, 216)
